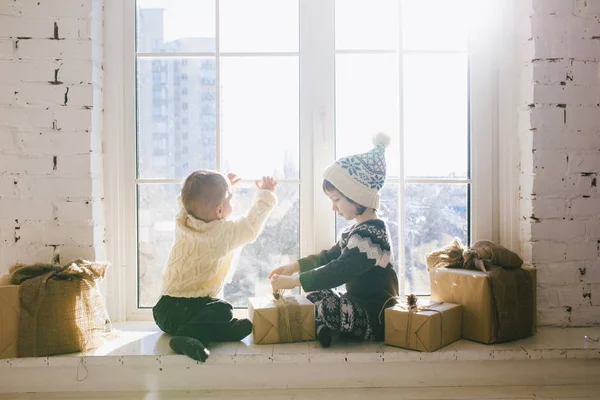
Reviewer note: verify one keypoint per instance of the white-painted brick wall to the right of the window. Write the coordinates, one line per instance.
(559, 130)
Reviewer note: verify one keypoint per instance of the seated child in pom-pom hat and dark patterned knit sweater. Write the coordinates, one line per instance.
(361, 259)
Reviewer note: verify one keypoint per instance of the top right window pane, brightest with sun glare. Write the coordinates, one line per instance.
(435, 24)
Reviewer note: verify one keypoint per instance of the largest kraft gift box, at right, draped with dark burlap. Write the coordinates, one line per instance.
(498, 306)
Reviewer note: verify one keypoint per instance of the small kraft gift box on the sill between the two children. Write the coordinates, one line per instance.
(288, 319)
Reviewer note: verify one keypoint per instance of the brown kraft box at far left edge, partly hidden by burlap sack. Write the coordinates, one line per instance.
(10, 312)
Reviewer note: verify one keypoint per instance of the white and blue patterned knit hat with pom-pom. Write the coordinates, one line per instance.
(360, 177)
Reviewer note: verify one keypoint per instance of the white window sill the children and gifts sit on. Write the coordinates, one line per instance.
(140, 359)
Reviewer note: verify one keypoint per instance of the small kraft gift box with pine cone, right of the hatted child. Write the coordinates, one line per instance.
(427, 329)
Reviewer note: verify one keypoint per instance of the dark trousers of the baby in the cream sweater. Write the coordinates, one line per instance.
(203, 318)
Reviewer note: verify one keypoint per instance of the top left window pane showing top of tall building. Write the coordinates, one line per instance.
(166, 26)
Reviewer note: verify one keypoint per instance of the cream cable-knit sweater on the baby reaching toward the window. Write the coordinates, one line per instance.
(202, 252)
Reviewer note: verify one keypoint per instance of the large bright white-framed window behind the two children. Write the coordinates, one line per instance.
(408, 69)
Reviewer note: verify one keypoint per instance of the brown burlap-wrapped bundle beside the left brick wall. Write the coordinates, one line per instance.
(62, 309)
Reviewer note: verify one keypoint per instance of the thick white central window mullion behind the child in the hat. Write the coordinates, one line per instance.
(317, 103)
